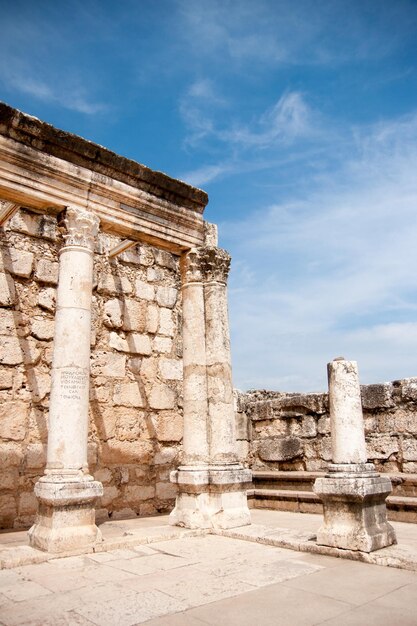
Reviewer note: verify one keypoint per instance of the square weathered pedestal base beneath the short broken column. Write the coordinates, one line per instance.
(355, 514)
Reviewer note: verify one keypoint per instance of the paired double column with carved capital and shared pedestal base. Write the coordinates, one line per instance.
(211, 482)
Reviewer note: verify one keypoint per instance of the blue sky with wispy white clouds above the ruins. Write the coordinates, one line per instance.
(299, 118)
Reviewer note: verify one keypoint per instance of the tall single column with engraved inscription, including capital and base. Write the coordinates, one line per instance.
(67, 493)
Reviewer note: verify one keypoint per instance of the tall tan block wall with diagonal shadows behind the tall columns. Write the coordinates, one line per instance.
(136, 370)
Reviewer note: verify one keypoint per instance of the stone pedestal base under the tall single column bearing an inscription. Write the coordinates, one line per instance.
(65, 521)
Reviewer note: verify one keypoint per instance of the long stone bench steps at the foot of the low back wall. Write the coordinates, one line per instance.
(292, 491)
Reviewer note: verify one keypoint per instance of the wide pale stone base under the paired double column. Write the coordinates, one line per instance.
(211, 497)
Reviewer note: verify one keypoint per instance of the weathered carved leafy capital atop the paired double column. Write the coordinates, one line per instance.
(205, 264)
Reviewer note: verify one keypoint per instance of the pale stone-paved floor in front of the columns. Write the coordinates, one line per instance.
(188, 580)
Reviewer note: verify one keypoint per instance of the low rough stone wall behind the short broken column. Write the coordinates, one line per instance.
(289, 431)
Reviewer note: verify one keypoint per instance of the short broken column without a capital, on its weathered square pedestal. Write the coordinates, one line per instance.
(353, 493)
